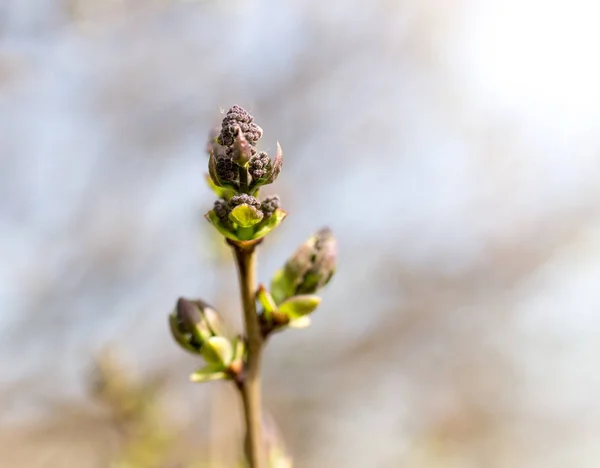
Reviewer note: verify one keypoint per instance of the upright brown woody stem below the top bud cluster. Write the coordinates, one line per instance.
(250, 384)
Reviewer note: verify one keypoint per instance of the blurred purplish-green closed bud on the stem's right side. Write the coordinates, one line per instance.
(309, 269)
